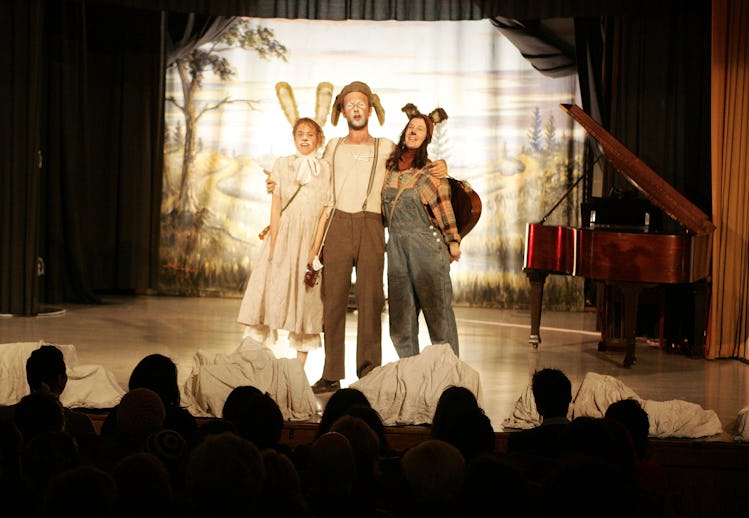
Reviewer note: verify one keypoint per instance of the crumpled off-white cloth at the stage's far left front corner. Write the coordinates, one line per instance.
(89, 386)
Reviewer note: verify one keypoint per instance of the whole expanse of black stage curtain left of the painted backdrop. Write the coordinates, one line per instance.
(84, 86)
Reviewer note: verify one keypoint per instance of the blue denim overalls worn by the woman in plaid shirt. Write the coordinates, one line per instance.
(418, 271)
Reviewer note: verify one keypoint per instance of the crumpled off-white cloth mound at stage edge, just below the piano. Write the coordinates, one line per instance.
(673, 418)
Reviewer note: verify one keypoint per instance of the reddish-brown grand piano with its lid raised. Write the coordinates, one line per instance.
(625, 259)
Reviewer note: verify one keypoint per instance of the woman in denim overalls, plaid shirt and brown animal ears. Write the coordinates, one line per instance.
(423, 240)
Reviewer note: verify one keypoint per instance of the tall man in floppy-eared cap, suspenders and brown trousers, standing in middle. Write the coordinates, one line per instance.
(356, 235)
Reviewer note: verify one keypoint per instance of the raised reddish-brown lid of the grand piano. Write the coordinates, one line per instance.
(647, 181)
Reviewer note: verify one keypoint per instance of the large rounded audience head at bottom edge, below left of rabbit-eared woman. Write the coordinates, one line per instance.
(225, 476)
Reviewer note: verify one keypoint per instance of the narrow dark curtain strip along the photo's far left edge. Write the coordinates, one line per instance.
(21, 75)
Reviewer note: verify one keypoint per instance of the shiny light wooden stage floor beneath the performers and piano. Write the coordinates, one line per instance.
(124, 329)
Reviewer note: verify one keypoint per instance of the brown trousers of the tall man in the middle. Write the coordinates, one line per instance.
(355, 240)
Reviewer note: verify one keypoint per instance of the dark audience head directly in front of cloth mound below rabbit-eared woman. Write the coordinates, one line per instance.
(256, 415)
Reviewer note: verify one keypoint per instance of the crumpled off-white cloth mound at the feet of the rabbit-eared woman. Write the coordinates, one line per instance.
(214, 376)
